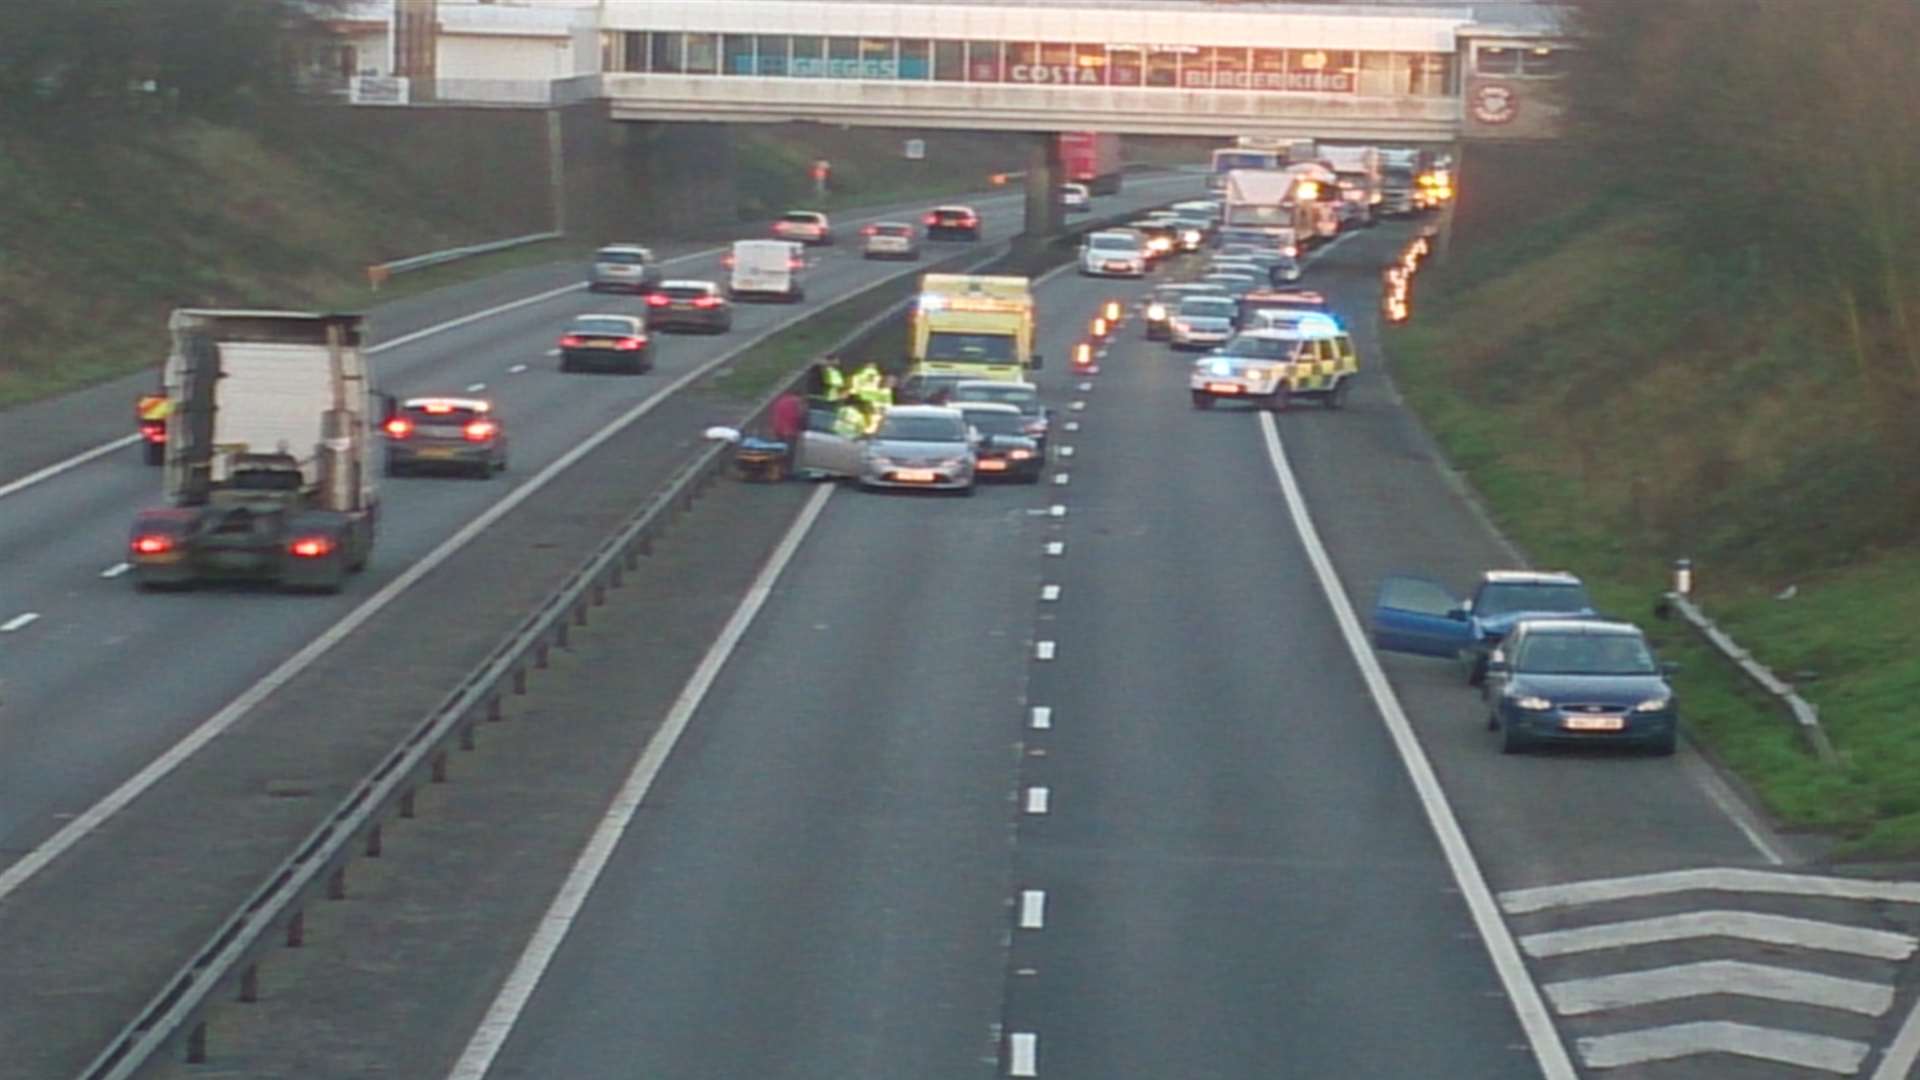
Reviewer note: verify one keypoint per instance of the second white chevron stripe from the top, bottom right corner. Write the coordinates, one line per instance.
(1746, 925)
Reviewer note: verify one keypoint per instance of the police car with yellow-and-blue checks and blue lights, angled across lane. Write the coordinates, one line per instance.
(1272, 368)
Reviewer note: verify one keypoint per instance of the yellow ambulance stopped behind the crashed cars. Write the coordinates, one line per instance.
(972, 326)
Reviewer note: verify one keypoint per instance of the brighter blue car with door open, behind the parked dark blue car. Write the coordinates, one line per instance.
(1418, 616)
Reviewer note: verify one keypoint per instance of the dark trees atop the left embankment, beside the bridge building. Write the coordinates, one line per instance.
(189, 57)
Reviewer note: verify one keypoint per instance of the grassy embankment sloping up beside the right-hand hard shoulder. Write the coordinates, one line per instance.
(1621, 406)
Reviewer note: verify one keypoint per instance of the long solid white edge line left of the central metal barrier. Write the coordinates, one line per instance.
(34, 862)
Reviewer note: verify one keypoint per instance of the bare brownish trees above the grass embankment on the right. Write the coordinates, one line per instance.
(1783, 134)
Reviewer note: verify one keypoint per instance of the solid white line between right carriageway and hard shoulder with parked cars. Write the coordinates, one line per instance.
(1529, 1008)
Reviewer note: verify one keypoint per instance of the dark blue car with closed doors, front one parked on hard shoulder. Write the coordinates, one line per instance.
(1579, 681)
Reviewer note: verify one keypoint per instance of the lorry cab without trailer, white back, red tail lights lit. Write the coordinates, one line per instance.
(268, 472)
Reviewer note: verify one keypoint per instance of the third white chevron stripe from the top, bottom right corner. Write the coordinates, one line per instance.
(1579, 996)
